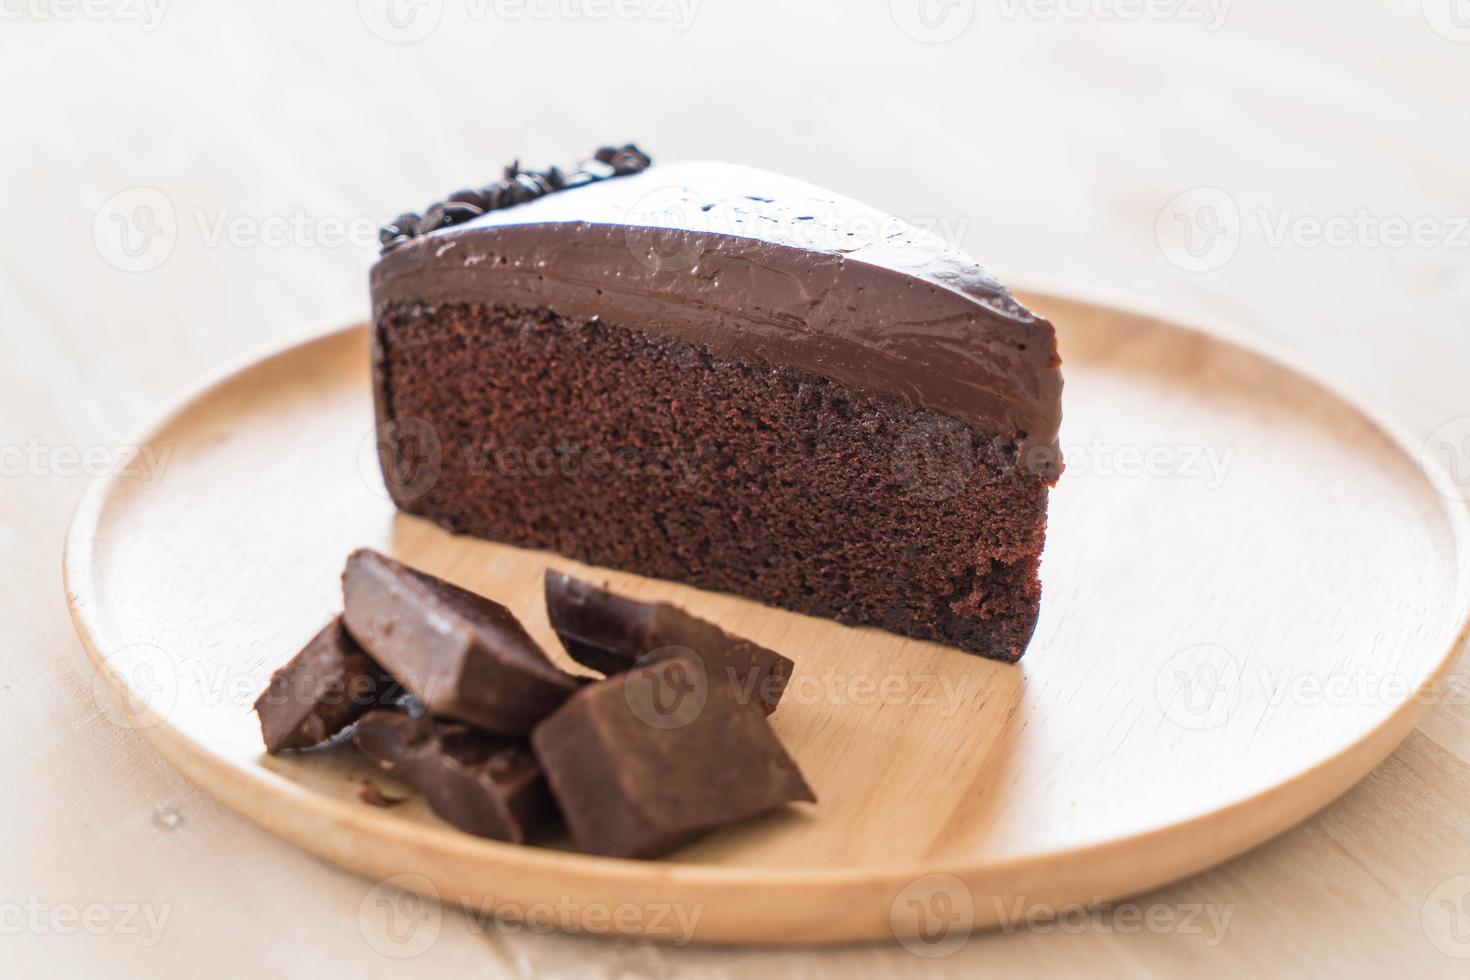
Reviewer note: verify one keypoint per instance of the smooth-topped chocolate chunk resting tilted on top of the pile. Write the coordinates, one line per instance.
(465, 657)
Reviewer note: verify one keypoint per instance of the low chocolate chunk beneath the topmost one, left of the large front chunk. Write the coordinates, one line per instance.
(481, 784)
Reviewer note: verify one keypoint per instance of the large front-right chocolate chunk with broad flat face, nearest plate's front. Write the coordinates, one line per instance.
(656, 757)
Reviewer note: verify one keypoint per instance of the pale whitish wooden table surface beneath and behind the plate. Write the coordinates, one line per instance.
(184, 186)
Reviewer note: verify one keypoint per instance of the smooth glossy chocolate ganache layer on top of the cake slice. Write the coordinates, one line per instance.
(758, 267)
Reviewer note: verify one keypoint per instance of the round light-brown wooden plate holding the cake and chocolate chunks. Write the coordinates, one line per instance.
(1250, 593)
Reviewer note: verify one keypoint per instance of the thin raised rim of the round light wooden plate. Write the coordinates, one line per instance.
(1350, 763)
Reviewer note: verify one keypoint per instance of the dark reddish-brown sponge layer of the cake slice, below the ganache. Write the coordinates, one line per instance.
(645, 453)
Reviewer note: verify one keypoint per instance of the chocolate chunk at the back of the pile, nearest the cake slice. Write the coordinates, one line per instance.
(611, 633)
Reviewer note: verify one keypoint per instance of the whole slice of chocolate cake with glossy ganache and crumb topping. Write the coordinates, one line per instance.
(728, 378)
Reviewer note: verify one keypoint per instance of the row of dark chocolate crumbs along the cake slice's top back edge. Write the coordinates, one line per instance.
(517, 187)
